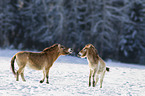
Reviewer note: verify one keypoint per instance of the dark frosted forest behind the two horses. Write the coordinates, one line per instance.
(115, 27)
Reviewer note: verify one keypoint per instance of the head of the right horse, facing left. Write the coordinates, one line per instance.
(83, 53)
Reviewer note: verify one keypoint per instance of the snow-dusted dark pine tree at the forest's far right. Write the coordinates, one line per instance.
(131, 44)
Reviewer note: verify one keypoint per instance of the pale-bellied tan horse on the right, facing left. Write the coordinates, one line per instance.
(96, 64)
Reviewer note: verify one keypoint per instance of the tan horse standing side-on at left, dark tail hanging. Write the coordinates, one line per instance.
(38, 61)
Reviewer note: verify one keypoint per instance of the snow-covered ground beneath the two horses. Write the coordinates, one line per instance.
(69, 77)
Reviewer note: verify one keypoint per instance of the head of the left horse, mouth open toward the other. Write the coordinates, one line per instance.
(64, 50)
